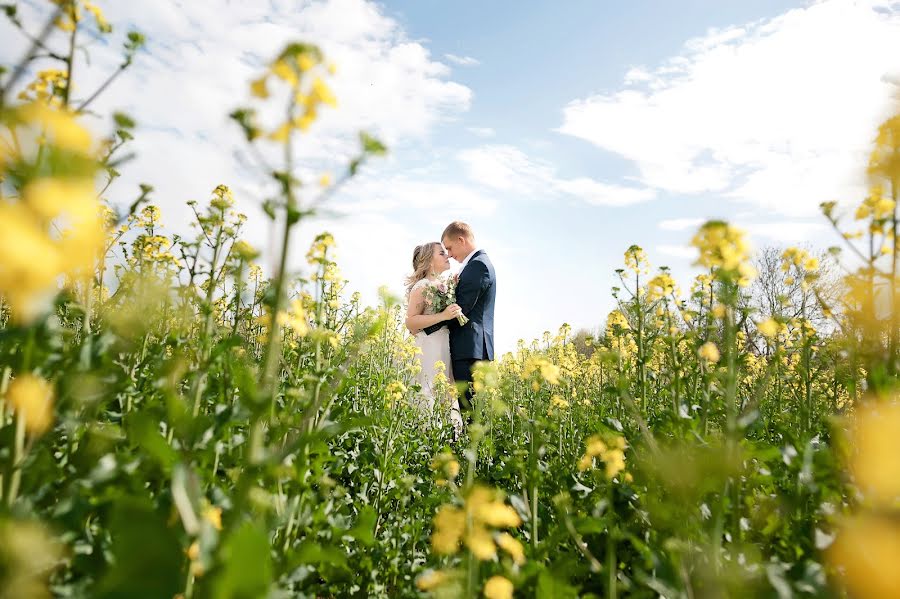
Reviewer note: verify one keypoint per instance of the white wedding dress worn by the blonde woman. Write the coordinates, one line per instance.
(435, 348)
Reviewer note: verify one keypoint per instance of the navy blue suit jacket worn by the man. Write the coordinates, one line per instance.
(475, 294)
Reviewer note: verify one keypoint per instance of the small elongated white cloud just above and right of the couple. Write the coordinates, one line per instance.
(508, 169)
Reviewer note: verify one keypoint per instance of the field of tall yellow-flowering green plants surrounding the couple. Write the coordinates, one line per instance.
(179, 420)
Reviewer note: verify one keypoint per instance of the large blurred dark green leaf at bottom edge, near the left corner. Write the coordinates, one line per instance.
(147, 559)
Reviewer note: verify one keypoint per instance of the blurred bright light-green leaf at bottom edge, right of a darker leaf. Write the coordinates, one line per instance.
(246, 571)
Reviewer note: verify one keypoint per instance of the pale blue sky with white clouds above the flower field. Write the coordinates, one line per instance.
(563, 132)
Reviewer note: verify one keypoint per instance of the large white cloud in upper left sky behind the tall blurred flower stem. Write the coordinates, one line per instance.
(198, 63)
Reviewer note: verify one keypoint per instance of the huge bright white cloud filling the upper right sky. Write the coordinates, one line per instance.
(779, 113)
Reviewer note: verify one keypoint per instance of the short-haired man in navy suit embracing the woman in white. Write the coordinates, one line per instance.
(475, 292)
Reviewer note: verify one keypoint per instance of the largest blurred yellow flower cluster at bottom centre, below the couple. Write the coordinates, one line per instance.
(472, 526)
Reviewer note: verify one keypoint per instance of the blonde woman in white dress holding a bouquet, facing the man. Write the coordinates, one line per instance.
(429, 261)
